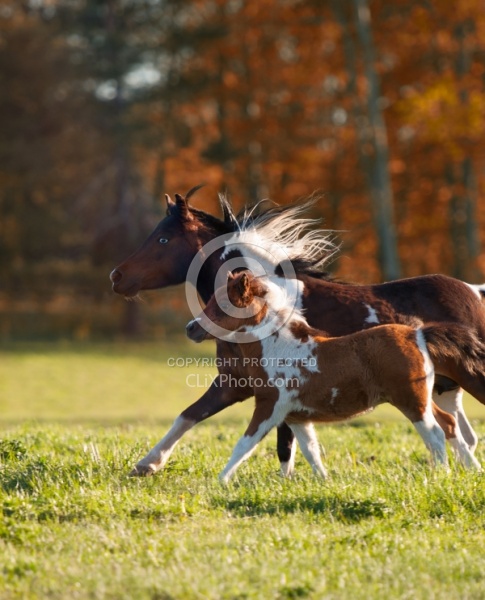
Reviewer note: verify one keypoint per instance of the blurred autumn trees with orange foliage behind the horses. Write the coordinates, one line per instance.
(105, 105)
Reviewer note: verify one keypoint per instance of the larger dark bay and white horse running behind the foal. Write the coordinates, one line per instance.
(166, 255)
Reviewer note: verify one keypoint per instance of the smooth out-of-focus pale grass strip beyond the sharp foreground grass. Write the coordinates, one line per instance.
(117, 382)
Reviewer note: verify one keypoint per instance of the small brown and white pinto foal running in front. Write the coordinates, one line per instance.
(300, 375)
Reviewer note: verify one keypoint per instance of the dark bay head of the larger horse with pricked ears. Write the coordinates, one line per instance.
(165, 256)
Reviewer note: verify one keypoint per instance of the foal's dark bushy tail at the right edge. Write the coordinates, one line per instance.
(458, 353)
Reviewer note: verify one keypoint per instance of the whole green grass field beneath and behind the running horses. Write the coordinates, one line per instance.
(75, 419)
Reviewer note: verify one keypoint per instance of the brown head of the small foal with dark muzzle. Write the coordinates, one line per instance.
(234, 307)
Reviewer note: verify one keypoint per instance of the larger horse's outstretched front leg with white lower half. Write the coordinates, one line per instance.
(216, 398)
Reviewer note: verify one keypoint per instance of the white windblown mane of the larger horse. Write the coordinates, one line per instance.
(281, 233)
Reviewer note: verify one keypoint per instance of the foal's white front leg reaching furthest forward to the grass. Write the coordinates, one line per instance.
(258, 427)
